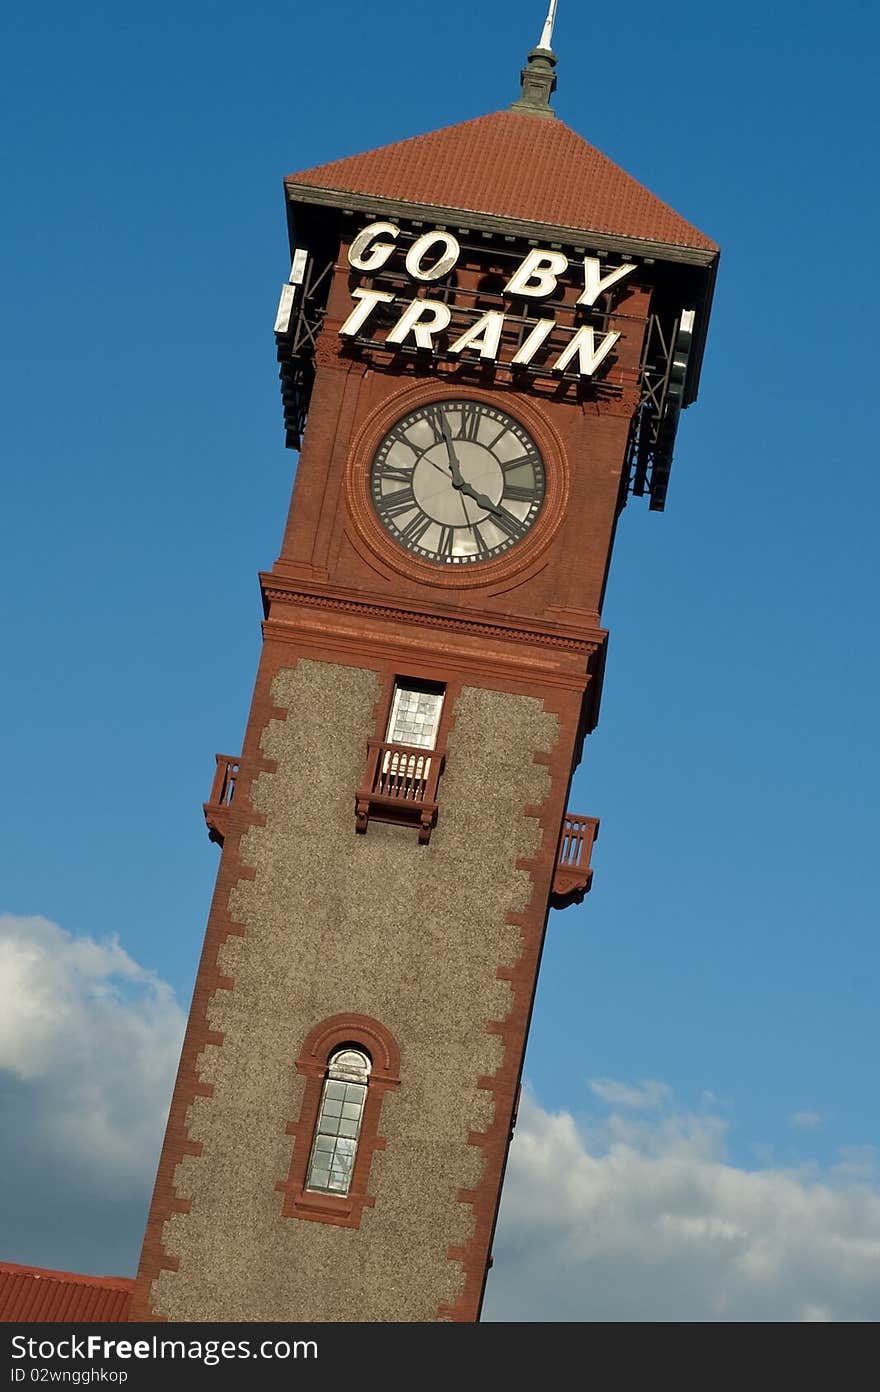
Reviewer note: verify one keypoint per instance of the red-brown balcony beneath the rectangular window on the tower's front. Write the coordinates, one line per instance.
(400, 786)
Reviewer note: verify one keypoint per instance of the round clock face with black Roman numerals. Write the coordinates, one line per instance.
(457, 482)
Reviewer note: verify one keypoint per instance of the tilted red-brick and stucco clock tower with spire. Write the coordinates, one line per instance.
(487, 339)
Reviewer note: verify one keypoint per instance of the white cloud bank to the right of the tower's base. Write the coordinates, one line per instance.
(647, 1220)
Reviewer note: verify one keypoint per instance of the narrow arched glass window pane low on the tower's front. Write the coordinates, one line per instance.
(339, 1123)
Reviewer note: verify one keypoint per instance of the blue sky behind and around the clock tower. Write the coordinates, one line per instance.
(722, 976)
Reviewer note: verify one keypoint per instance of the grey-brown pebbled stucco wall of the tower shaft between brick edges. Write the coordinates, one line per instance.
(371, 925)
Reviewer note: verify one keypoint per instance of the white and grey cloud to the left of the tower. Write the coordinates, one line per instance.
(88, 1049)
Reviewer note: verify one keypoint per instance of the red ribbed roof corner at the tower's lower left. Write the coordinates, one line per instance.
(30, 1295)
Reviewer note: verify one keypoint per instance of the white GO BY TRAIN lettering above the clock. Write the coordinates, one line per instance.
(423, 321)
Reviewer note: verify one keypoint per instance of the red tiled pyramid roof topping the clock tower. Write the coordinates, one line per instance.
(512, 165)
